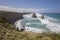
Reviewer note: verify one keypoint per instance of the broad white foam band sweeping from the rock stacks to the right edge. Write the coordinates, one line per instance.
(54, 27)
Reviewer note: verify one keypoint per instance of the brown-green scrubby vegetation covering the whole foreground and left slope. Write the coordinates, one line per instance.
(8, 32)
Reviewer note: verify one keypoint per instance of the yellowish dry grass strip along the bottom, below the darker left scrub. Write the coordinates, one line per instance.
(15, 35)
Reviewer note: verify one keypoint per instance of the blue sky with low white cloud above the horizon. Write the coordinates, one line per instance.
(33, 5)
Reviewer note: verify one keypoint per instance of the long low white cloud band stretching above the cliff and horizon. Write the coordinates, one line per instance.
(7, 8)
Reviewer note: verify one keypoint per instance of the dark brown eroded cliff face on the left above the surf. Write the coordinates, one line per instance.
(12, 17)
